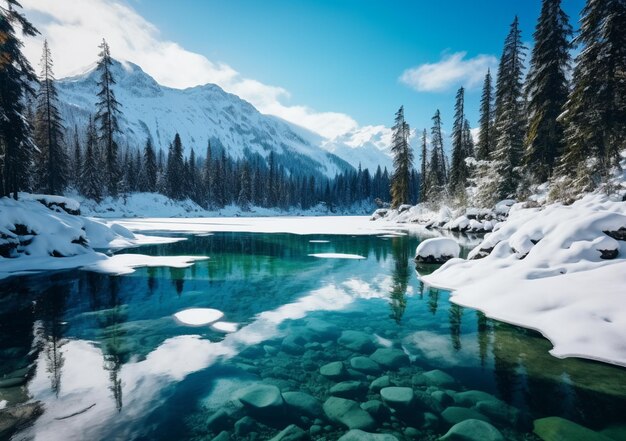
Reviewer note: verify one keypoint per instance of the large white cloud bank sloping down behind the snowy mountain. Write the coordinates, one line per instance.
(74, 30)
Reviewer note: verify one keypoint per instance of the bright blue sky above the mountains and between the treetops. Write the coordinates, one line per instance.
(347, 55)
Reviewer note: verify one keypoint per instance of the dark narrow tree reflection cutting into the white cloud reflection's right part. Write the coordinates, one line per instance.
(114, 353)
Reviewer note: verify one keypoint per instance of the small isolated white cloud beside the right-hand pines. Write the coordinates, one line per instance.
(451, 70)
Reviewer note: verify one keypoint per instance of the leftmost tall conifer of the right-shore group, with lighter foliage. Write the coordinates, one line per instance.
(402, 160)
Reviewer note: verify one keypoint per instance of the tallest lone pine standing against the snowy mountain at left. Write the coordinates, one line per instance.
(107, 113)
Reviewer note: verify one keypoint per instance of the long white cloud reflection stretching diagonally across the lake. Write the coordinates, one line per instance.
(85, 381)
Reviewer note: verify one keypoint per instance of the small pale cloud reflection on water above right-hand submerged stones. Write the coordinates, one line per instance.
(438, 349)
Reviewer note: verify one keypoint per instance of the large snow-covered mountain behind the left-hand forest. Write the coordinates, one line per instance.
(204, 113)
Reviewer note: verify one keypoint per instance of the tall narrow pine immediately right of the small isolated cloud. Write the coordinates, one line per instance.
(509, 115)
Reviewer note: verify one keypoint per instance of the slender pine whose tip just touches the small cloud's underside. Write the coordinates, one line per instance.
(458, 170)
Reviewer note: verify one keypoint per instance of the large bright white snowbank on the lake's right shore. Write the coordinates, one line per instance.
(560, 270)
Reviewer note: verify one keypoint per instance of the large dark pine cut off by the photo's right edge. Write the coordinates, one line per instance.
(596, 108)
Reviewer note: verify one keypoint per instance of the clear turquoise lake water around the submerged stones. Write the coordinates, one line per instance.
(107, 360)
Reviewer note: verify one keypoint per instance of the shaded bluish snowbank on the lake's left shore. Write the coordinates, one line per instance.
(38, 233)
